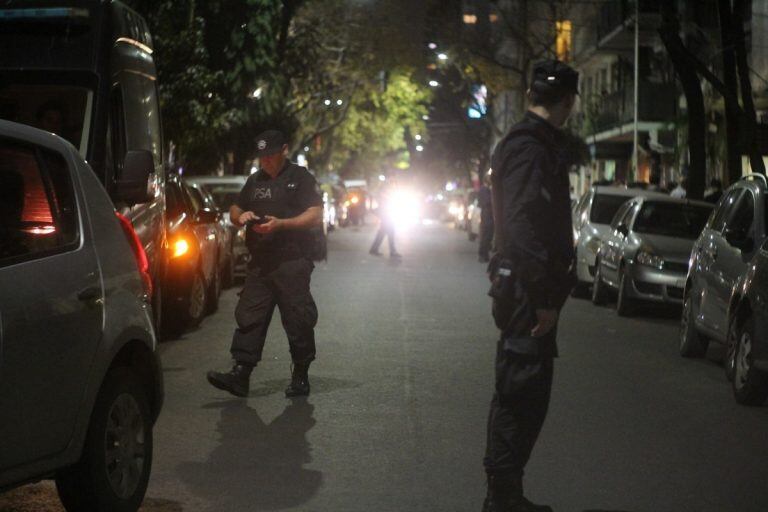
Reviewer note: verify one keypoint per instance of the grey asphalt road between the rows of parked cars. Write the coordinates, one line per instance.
(400, 393)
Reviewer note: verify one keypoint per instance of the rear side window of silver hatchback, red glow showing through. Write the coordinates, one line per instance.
(38, 213)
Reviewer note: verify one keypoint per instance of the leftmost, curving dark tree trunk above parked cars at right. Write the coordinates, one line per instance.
(686, 73)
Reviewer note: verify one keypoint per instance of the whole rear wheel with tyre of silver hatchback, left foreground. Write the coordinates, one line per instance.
(114, 468)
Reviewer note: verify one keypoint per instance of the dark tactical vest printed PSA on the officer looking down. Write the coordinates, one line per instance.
(277, 197)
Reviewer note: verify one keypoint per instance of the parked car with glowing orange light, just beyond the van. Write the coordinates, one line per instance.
(192, 280)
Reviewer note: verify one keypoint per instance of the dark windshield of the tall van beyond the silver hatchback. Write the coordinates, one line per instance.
(61, 109)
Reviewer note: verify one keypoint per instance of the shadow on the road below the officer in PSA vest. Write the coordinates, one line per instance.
(257, 465)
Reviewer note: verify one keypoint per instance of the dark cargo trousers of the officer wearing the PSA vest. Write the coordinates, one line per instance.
(287, 287)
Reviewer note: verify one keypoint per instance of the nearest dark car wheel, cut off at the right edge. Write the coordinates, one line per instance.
(750, 385)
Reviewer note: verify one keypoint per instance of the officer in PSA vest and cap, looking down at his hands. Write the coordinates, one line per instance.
(280, 204)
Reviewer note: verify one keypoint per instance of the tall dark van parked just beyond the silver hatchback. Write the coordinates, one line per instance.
(87, 73)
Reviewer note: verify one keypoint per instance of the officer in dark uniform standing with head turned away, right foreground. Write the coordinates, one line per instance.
(531, 277)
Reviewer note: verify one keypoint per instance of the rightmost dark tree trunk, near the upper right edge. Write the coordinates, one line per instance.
(750, 118)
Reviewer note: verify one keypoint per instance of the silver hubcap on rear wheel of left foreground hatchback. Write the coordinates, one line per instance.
(125, 450)
